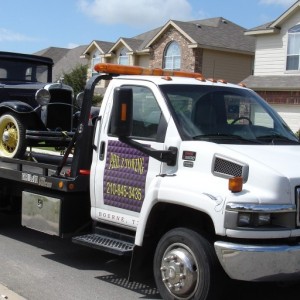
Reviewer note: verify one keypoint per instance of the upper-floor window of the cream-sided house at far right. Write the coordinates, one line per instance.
(293, 52)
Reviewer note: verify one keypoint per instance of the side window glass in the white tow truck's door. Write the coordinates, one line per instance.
(147, 115)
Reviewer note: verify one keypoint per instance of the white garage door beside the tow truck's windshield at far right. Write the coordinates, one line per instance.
(290, 114)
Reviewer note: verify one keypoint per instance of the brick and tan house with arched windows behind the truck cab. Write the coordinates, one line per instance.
(215, 47)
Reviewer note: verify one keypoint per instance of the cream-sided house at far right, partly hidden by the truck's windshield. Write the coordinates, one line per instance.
(277, 64)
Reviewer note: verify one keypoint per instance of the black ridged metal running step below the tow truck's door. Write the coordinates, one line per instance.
(105, 243)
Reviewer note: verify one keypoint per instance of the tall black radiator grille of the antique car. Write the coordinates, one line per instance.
(60, 110)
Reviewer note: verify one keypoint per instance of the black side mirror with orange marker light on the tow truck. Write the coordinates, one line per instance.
(121, 119)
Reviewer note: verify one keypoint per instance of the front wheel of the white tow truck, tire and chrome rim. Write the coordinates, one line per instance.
(185, 266)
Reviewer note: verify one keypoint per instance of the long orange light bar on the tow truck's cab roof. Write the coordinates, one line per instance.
(136, 70)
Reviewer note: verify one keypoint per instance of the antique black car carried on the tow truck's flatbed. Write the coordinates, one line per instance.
(29, 101)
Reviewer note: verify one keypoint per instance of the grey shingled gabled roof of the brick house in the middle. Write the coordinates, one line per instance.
(214, 33)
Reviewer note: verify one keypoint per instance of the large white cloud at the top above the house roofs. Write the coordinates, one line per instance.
(136, 13)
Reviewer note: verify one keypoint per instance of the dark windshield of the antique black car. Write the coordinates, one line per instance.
(23, 71)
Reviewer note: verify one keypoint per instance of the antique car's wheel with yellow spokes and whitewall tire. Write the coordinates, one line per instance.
(12, 136)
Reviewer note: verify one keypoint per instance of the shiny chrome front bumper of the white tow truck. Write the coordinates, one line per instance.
(259, 263)
